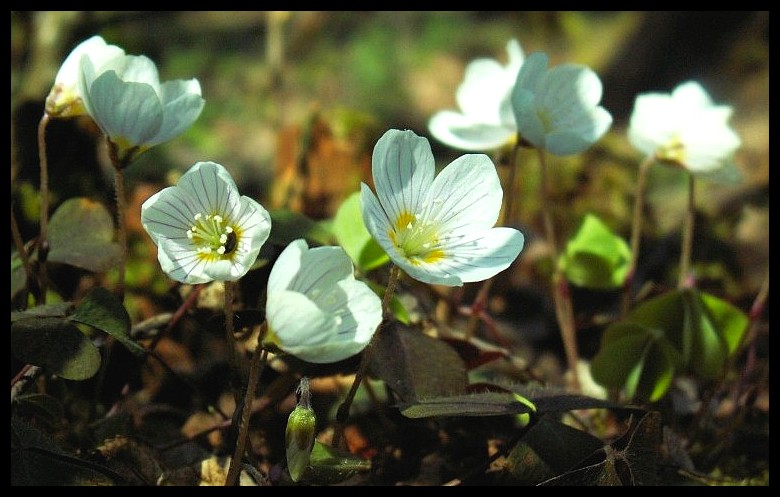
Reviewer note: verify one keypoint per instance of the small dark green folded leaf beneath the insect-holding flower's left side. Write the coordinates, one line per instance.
(102, 310)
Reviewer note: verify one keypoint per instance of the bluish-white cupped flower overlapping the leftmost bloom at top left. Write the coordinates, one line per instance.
(132, 108)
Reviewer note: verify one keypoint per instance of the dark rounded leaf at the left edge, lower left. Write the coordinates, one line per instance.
(55, 345)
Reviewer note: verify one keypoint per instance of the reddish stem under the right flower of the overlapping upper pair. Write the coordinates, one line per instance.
(564, 310)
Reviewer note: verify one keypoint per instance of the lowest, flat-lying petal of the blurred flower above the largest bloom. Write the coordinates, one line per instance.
(459, 131)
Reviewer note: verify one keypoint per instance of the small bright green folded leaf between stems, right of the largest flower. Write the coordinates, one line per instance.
(595, 257)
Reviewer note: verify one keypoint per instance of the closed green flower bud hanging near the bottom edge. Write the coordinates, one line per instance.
(299, 436)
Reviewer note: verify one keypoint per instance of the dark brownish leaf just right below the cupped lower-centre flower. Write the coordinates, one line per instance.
(415, 365)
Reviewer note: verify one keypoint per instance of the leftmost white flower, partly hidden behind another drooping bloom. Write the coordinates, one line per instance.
(64, 99)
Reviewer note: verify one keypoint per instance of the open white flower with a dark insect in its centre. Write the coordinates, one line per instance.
(203, 228)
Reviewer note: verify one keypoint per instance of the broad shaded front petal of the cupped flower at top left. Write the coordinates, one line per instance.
(129, 111)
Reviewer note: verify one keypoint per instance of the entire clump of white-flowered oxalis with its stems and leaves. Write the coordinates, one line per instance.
(338, 302)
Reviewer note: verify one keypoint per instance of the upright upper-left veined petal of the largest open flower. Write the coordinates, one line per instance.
(403, 169)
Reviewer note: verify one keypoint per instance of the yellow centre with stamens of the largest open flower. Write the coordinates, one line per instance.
(416, 240)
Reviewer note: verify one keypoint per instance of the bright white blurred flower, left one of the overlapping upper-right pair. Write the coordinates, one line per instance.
(485, 120)
